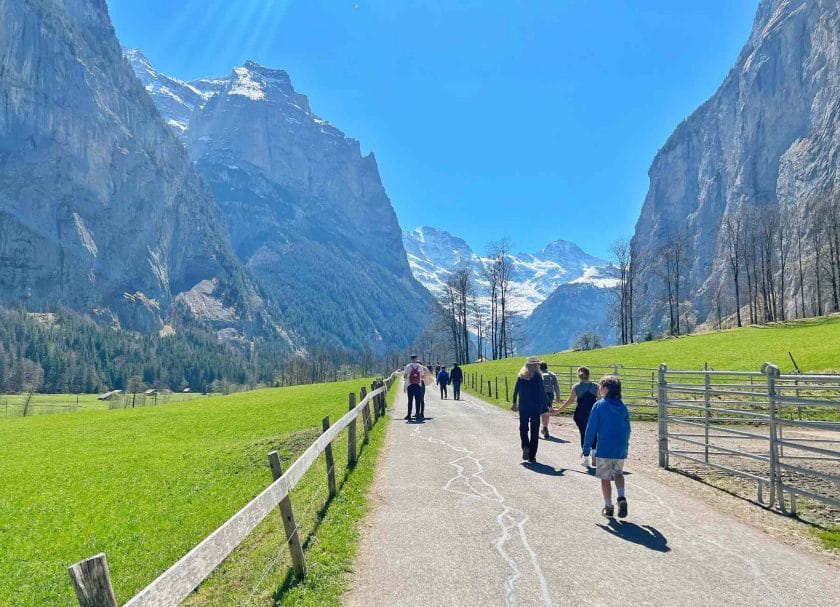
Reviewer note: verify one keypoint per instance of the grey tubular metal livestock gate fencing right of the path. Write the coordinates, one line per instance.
(771, 444)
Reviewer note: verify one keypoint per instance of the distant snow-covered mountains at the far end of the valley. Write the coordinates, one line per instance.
(434, 255)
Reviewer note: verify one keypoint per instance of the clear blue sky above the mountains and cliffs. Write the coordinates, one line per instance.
(529, 120)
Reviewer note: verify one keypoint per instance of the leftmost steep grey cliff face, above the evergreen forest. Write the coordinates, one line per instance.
(100, 207)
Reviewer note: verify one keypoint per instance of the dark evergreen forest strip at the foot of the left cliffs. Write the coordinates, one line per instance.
(66, 352)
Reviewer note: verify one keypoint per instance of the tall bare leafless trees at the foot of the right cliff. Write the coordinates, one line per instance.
(780, 262)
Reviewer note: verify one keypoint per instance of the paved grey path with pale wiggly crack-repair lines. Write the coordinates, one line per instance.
(460, 520)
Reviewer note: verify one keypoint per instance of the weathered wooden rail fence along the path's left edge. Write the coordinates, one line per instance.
(91, 579)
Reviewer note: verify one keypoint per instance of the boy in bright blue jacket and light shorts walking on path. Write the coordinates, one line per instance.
(610, 423)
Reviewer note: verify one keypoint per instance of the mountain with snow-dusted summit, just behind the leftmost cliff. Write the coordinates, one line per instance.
(306, 212)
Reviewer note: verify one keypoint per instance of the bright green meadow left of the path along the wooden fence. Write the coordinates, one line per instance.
(146, 485)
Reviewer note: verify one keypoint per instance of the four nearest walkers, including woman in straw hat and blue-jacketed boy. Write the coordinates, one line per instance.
(603, 421)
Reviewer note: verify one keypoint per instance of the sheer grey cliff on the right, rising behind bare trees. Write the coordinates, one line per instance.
(769, 136)
